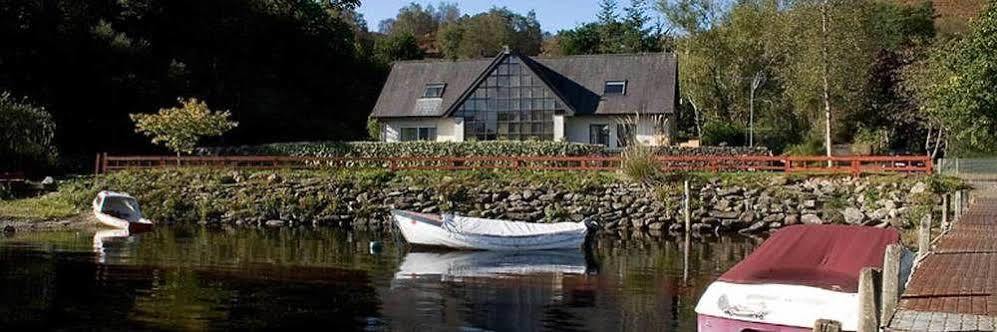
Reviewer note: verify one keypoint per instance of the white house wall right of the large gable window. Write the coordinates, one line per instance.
(576, 129)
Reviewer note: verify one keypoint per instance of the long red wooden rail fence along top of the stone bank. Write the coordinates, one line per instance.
(844, 165)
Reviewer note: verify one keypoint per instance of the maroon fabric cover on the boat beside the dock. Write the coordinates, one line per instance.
(825, 256)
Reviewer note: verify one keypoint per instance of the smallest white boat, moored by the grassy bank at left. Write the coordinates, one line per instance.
(119, 210)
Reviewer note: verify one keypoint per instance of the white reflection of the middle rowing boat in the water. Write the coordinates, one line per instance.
(490, 264)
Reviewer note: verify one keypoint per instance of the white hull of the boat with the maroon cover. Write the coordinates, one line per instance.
(779, 304)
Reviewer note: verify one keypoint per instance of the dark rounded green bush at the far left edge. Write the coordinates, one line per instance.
(27, 134)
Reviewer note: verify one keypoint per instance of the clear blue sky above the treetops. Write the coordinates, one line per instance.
(554, 15)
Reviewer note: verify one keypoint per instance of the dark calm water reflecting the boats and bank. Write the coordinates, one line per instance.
(197, 279)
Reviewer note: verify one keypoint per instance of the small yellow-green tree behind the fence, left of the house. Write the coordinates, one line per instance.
(181, 128)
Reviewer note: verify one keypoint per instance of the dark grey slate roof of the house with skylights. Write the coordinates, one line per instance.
(578, 80)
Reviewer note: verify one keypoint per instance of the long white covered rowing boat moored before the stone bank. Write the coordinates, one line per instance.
(487, 234)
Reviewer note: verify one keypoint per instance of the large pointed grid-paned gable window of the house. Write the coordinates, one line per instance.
(511, 104)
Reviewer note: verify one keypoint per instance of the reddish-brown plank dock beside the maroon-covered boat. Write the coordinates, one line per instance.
(954, 288)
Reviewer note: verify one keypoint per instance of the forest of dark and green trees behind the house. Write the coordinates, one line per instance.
(900, 76)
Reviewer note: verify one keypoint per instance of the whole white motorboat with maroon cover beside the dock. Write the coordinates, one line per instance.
(800, 274)
